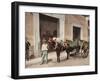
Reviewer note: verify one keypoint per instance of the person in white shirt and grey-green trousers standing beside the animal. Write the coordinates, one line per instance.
(44, 50)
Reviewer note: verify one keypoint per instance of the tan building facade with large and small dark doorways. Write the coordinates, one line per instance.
(63, 26)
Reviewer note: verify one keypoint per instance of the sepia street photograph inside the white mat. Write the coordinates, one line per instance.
(56, 40)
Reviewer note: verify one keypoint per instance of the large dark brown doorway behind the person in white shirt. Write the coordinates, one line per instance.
(49, 27)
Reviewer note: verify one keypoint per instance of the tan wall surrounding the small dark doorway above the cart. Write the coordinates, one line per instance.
(78, 21)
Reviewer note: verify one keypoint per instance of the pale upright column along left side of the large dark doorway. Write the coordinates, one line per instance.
(36, 35)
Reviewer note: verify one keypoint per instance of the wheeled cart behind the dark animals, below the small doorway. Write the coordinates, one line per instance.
(77, 47)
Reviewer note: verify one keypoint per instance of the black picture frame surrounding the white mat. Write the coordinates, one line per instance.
(15, 39)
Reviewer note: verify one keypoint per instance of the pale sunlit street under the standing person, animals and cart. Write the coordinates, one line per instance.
(52, 61)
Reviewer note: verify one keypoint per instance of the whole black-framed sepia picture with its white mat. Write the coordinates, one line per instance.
(50, 40)
